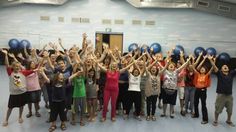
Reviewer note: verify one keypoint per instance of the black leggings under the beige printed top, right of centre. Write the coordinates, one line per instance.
(151, 102)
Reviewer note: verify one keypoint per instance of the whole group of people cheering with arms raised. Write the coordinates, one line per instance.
(83, 81)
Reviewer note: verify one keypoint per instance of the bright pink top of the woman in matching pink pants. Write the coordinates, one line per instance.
(112, 79)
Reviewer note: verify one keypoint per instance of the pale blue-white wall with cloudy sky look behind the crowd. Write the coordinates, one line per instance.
(187, 27)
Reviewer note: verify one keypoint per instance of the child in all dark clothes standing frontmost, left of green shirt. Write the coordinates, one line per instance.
(58, 105)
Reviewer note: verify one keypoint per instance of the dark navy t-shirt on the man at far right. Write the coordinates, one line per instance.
(225, 82)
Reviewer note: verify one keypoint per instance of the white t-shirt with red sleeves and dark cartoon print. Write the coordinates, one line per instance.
(17, 83)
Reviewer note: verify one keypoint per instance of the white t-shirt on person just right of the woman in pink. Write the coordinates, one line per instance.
(134, 83)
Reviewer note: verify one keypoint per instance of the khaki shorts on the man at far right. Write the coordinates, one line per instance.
(222, 101)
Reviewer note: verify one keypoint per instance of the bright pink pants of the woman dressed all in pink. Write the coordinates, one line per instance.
(113, 94)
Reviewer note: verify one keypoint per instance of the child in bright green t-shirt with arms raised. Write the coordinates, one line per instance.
(79, 94)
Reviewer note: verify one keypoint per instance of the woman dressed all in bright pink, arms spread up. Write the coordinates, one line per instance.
(111, 89)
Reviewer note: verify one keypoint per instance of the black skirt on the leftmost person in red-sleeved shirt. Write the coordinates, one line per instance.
(17, 100)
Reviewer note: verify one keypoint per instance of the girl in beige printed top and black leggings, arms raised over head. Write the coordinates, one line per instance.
(152, 90)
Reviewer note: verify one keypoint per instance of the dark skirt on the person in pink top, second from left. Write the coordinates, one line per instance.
(34, 96)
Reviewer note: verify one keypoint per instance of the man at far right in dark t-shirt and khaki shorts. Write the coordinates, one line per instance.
(224, 92)
